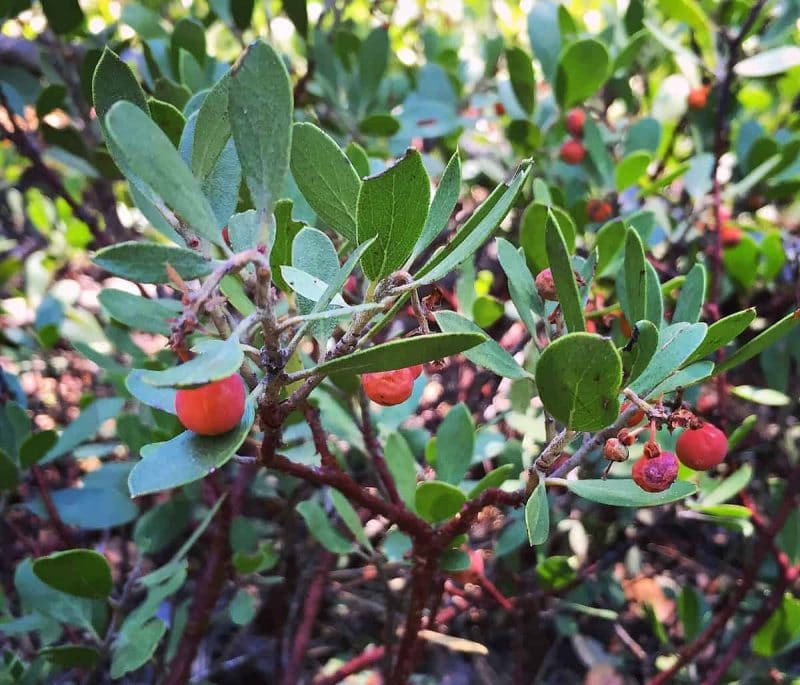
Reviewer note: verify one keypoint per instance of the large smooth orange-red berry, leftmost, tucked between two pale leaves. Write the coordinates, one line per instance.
(214, 408)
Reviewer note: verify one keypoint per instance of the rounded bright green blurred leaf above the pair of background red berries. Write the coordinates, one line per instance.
(582, 69)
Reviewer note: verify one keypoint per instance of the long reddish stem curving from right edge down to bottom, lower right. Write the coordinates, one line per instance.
(762, 549)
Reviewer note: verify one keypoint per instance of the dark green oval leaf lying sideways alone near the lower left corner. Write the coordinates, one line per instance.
(78, 572)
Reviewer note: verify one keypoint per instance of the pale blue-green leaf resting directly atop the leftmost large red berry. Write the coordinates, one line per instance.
(215, 360)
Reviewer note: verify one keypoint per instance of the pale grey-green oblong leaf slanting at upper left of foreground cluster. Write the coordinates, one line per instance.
(160, 167)
